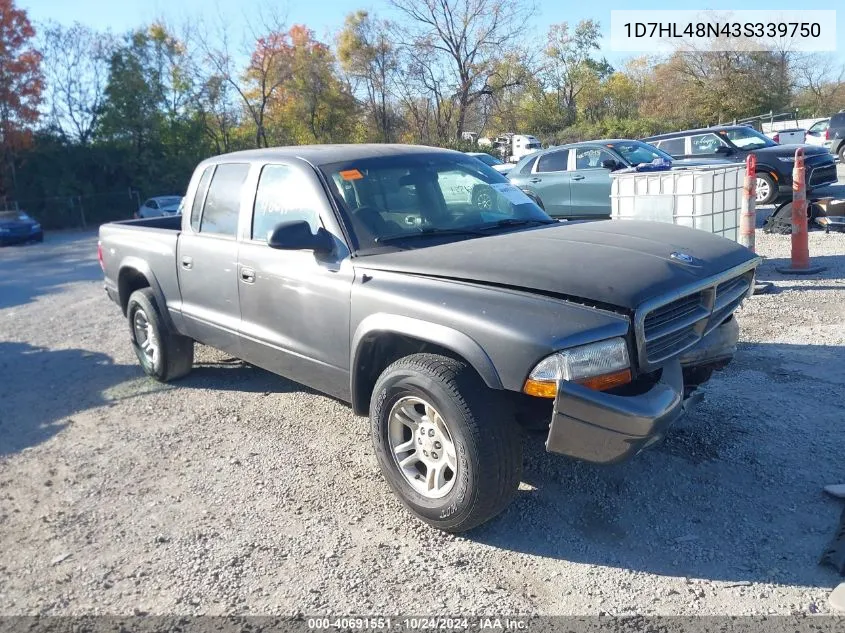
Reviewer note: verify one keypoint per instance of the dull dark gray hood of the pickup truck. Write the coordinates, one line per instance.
(613, 263)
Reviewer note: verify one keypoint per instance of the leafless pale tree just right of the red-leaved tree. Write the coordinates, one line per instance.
(76, 65)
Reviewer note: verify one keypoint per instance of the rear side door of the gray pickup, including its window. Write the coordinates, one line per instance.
(207, 258)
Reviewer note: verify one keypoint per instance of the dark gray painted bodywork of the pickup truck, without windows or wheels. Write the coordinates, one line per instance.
(501, 302)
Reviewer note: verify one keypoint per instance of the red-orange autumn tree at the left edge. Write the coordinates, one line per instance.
(20, 85)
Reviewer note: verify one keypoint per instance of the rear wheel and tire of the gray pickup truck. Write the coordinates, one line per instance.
(172, 355)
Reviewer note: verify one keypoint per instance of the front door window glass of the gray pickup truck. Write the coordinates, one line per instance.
(284, 195)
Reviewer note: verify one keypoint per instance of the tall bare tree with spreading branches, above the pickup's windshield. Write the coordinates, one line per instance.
(454, 46)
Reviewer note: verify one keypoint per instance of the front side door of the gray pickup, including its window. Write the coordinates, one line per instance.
(295, 304)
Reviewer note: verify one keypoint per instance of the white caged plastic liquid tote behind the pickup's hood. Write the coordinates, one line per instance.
(702, 197)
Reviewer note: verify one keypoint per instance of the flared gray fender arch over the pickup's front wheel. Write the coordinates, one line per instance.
(381, 339)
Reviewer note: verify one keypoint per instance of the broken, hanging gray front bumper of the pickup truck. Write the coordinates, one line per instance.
(604, 428)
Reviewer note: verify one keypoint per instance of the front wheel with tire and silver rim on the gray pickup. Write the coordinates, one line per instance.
(486, 443)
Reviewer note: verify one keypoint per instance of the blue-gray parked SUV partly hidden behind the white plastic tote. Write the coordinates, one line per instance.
(573, 181)
